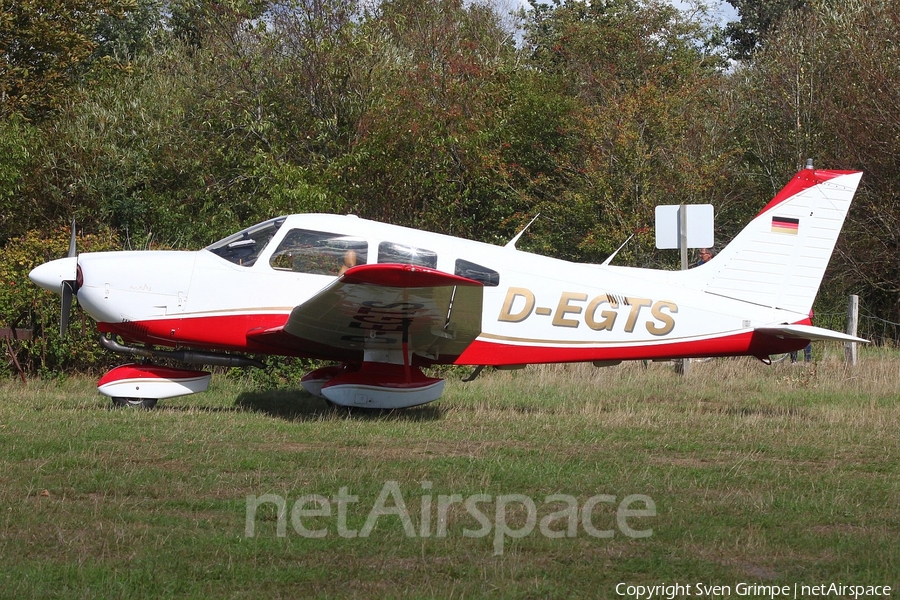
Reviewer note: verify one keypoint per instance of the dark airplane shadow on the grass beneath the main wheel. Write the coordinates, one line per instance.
(297, 405)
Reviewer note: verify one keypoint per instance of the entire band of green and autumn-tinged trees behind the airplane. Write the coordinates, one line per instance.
(149, 116)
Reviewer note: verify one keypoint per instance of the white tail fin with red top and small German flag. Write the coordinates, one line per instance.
(779, 259)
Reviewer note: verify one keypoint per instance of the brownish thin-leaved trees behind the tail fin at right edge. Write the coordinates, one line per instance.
(796, 103)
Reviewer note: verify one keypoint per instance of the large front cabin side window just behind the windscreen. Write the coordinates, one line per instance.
(318, 252)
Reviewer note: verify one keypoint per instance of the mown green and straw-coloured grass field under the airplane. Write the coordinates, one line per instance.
(550, 482)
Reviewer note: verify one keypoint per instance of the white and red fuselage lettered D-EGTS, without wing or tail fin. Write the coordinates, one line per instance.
(536, 308)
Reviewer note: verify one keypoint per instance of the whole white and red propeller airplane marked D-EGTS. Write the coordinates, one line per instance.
(383, 301)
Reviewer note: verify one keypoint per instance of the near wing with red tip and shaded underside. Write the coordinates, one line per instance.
(367, 309)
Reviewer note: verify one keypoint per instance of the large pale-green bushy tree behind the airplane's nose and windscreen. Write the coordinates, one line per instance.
(223, 150)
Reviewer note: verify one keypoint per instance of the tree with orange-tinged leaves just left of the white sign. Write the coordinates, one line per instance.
(641, 74)
